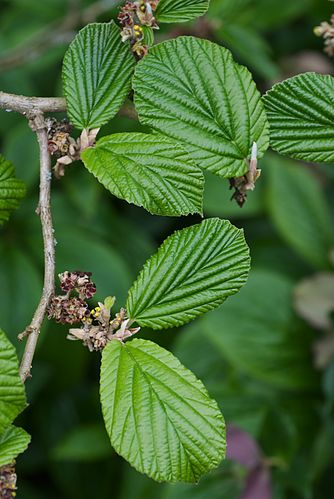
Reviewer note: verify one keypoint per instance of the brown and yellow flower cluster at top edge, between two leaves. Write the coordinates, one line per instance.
(132, 17)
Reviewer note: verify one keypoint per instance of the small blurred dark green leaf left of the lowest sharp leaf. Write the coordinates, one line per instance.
(83, 443)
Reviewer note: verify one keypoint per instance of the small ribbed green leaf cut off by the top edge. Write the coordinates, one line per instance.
(178, 11)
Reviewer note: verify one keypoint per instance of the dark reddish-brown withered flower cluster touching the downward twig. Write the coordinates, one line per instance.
(67, 309)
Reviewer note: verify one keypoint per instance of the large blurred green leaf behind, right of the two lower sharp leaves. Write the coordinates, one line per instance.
(257, 334)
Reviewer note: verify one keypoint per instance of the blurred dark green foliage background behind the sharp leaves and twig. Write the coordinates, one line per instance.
(266, 355)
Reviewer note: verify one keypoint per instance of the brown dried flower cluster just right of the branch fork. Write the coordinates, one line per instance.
(64, 147)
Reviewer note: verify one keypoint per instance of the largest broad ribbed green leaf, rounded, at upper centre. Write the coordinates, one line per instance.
(192, 91)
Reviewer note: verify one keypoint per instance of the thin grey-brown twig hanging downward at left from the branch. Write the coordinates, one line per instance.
(37, 124)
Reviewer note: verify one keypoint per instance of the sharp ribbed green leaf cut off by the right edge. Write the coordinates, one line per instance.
(300, 112)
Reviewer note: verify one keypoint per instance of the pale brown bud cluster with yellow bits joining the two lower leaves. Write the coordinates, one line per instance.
(99, 328)
